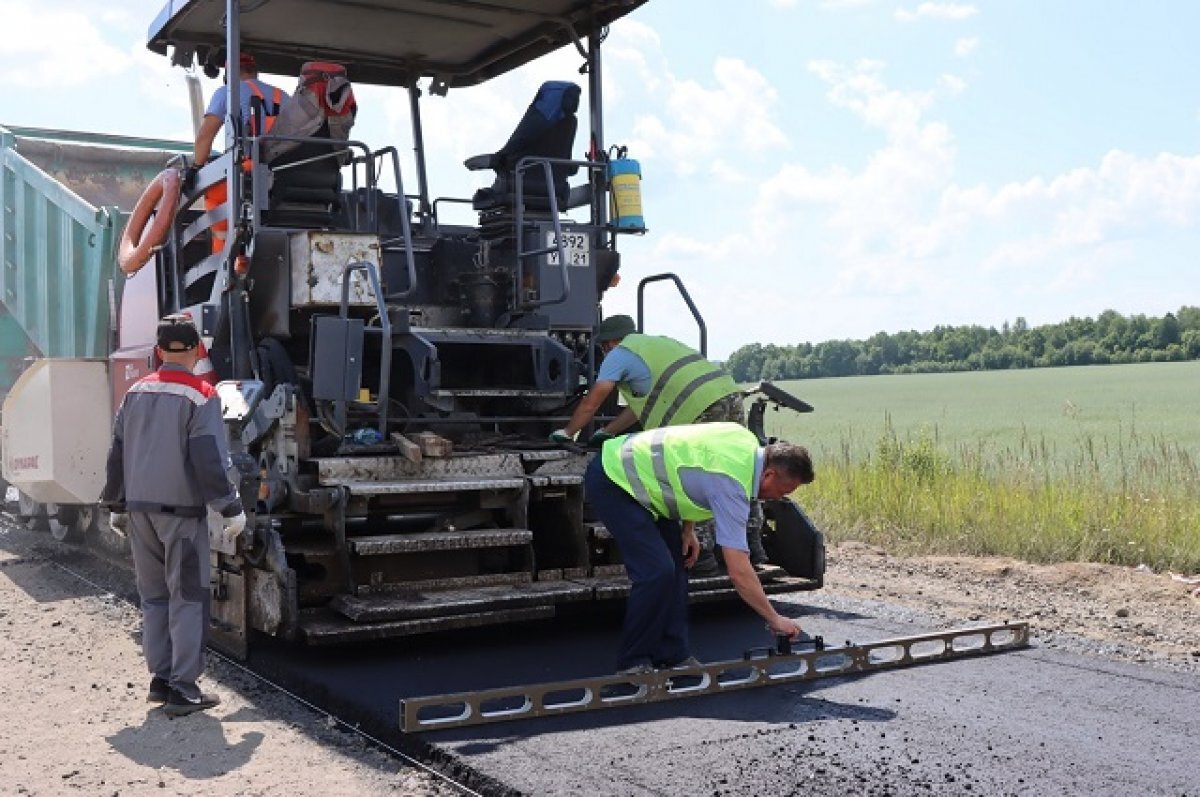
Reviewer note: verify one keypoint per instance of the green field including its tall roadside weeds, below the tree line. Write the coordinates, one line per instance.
(1099, 464)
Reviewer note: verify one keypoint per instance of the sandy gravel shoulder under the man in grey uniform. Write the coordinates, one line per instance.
(74, 717)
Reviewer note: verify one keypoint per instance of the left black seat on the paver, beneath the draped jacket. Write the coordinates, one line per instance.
(308, 195)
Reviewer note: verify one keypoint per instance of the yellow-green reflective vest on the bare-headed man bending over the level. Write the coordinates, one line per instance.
(647, 465)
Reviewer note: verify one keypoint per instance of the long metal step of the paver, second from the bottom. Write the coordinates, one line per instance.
(459, 602)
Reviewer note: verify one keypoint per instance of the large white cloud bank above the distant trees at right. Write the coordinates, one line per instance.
(903, 226)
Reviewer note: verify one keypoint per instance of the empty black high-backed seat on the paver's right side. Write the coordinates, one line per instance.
(548, 130)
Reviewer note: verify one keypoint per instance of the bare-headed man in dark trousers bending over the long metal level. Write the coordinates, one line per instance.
(651, 489)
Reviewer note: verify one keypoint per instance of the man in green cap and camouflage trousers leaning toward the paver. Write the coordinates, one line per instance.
(664, 383)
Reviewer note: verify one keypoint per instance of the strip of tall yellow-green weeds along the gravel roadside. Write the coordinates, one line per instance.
(1123, 501)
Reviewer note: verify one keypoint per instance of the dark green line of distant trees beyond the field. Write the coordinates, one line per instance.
(1112, 338)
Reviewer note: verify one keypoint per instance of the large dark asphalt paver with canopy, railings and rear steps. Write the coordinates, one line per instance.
(389, 380)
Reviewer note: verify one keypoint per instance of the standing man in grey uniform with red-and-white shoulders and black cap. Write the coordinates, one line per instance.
(167, 466)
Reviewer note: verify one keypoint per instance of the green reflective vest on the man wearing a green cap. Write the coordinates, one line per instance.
(685, 383)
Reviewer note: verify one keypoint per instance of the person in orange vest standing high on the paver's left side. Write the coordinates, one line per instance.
(260, 106)
